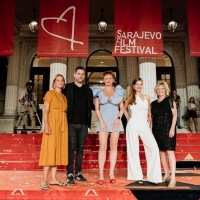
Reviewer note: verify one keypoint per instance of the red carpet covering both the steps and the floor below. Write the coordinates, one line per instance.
(21, 176)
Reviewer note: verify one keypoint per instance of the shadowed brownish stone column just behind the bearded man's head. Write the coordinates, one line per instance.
(72, 64)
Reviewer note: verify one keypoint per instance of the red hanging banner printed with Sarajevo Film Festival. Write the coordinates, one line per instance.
(138, 28)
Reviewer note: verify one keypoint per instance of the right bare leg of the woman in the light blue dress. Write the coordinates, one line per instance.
(113, 152)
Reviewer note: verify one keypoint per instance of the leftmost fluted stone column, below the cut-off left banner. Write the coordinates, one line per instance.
(12, 81)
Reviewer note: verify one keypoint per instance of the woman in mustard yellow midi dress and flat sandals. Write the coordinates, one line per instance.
(54, 148)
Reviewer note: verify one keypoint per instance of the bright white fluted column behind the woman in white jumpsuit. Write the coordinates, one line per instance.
(147, 71)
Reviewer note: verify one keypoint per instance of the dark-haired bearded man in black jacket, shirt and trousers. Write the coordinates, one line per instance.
(80, 105)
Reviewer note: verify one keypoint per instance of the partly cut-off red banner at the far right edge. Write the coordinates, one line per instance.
(193, 14)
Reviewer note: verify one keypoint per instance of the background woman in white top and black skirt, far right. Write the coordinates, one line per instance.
(192, 107)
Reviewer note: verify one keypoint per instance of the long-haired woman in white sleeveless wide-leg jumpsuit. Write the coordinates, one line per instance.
(138, 126)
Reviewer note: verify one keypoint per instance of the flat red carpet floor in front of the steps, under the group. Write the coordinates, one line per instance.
(21, 185)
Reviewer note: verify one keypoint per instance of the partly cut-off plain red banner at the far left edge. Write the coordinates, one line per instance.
(7, 27)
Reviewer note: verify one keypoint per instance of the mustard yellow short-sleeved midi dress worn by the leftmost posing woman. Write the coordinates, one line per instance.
(54, 148)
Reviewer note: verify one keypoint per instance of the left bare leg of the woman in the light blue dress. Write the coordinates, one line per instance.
(103, 138)
